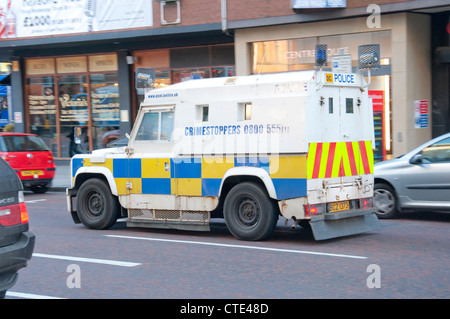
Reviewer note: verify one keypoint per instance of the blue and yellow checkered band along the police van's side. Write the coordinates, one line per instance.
(199, 176)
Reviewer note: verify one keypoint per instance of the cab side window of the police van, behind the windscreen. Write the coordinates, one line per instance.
(156, 126)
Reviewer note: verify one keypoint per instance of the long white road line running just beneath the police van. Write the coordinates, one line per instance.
(240, 246)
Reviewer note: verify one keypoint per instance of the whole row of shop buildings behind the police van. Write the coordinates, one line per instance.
(92, 72)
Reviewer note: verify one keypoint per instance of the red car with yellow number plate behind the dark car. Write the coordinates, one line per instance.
(30, 157)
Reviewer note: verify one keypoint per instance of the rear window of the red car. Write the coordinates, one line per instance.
(22, 143)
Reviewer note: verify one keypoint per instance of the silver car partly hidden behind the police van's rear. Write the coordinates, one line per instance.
(418, 180)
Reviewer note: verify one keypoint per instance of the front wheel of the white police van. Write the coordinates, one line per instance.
(97, 208)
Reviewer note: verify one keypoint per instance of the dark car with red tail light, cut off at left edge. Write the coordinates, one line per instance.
(16, 241)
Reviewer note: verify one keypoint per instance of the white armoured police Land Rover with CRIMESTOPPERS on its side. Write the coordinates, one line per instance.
(249, 149)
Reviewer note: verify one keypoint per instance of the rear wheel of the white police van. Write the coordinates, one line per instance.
(249, 212)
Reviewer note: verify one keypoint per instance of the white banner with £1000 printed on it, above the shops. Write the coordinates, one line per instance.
(29, 18)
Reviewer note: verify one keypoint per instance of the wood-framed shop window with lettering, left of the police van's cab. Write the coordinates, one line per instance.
(62, 93)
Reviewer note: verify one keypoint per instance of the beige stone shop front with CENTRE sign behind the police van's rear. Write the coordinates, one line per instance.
(401, 81)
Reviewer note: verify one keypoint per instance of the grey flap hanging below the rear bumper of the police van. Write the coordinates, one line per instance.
(343, 224)
